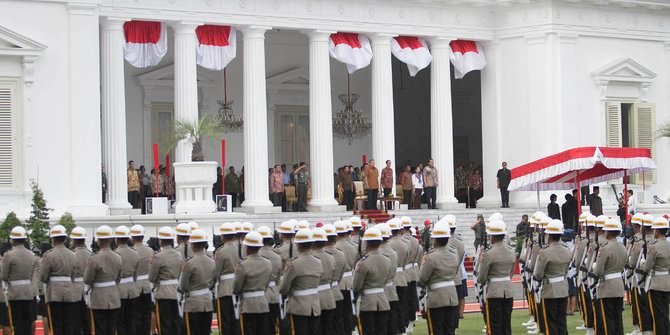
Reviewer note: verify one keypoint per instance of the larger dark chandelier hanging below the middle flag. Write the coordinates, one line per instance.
(350, 123)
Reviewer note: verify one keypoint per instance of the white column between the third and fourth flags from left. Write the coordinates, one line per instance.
(383, 129)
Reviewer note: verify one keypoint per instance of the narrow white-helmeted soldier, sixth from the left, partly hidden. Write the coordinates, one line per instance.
(143, 303)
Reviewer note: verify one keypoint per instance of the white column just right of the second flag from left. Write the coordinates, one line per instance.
(255, 122)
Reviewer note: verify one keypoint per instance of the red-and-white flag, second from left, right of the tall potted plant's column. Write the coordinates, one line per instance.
(217, 46)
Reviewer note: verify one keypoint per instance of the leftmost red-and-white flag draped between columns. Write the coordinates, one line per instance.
(146, 43)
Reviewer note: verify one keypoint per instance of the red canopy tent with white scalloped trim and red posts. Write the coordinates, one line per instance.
(586, 165)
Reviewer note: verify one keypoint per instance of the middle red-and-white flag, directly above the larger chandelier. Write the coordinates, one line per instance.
(351, 49)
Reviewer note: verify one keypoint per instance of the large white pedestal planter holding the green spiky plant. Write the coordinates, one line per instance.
(193, 181)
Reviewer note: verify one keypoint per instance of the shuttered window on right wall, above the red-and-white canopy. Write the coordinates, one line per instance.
(633, 125)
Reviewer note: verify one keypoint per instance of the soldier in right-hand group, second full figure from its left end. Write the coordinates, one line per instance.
(549, 276)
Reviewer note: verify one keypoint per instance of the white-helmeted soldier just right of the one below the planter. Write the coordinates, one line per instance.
(226, 259)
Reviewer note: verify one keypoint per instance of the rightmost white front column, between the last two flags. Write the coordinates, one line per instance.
(441, 122)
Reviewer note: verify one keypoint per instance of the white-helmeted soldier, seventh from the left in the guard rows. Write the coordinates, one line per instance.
(164, 273)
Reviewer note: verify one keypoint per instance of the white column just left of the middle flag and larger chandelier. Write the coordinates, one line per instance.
(321, 123)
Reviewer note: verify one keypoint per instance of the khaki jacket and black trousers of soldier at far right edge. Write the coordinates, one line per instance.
(657, 266)
